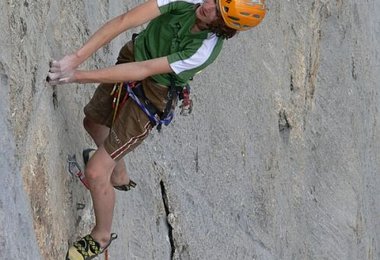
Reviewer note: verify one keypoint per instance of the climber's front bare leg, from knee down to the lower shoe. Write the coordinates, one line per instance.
(98, 173)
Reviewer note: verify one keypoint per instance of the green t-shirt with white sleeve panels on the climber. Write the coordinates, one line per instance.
(170, 35)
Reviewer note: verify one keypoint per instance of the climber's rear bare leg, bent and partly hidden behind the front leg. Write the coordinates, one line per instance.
(99, 133)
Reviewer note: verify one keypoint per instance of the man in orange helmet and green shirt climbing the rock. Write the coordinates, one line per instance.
(181, 39)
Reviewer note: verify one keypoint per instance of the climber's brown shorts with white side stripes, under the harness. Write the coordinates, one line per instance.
(132, 125)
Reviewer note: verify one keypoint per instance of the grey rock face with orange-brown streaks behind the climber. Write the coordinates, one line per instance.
(279, 159)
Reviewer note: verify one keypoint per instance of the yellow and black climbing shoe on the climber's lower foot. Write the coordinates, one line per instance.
(87, 248)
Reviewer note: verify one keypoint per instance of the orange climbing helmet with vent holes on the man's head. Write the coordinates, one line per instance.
(242, 15)
